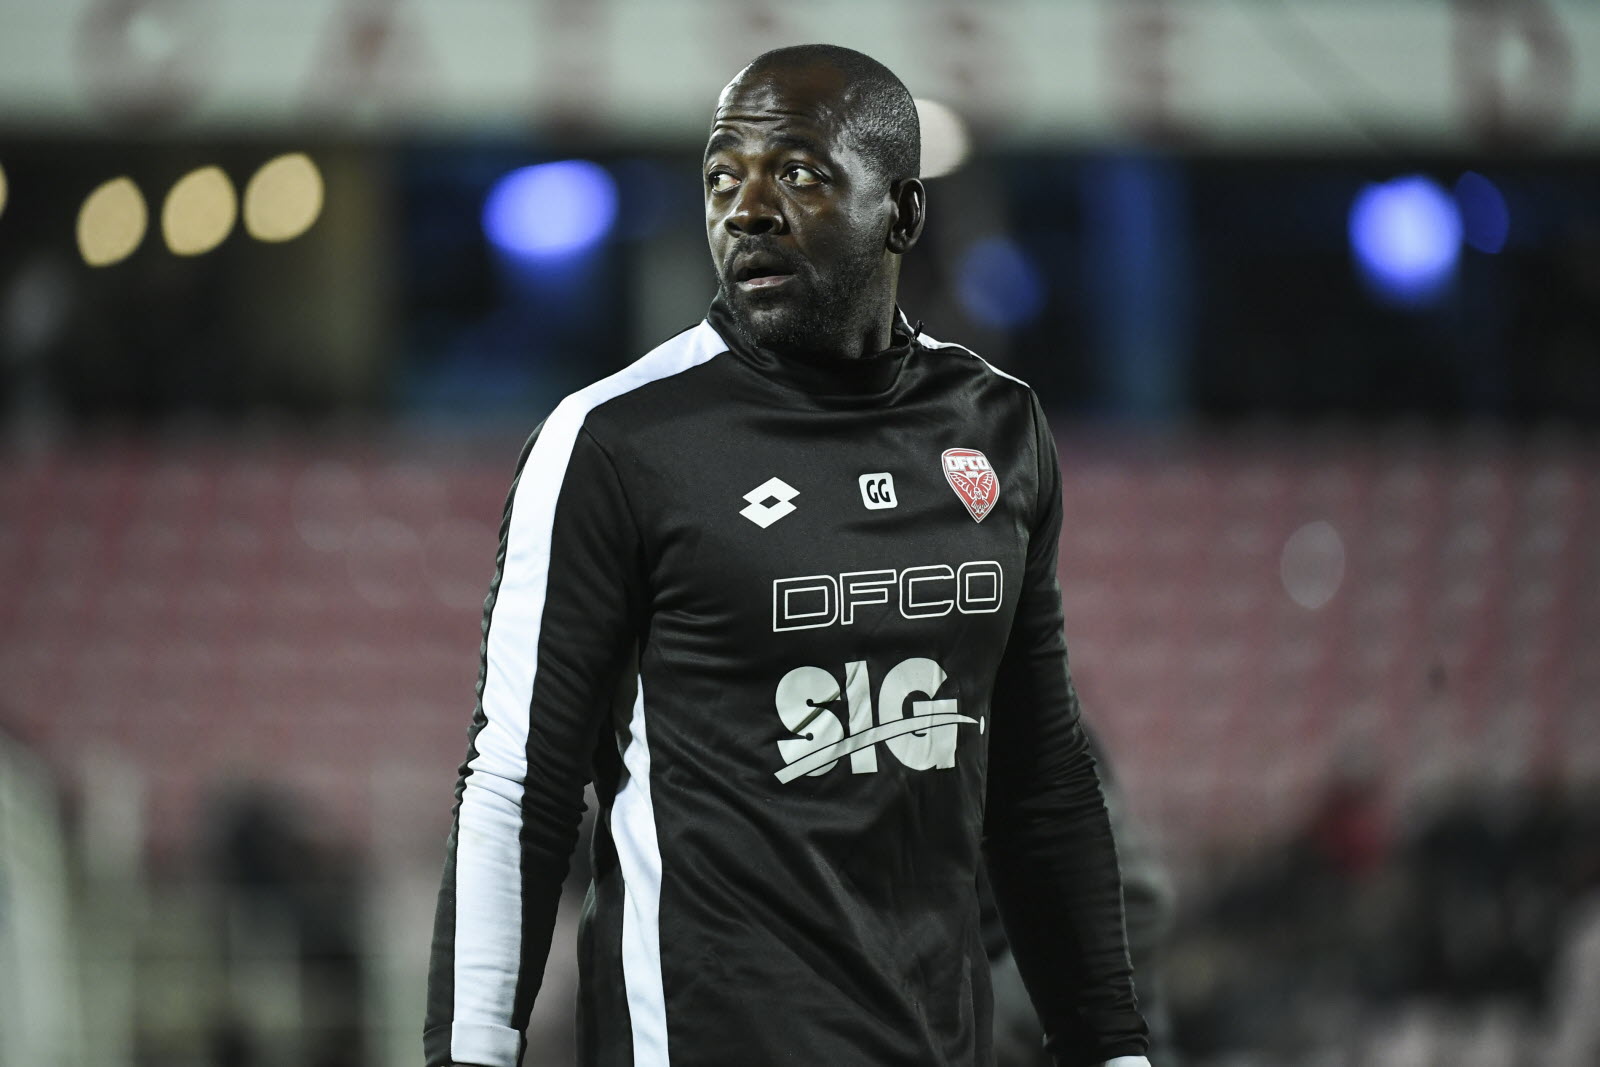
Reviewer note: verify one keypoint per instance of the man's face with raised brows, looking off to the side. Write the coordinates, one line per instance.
(796, 215)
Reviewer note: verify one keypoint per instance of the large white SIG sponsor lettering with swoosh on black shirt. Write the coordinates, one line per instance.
(918, 727)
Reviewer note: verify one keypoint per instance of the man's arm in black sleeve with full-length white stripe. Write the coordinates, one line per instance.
(558, 631)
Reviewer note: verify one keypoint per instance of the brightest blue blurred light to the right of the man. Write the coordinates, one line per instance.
(1407, 239)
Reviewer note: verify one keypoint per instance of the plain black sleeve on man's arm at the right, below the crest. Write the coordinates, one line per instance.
(1047, 836)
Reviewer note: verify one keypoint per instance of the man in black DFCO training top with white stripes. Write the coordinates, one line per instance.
(785, 589)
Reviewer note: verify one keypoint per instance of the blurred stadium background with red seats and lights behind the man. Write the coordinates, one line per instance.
(1311, 289)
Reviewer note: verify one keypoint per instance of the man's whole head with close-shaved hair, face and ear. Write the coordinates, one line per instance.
(812, 199)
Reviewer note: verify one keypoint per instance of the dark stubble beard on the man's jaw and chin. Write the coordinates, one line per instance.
(826, 314)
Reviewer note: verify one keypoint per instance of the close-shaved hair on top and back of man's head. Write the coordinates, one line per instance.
(876, 106)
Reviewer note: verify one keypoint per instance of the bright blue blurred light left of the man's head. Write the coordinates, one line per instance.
(551, 210)
